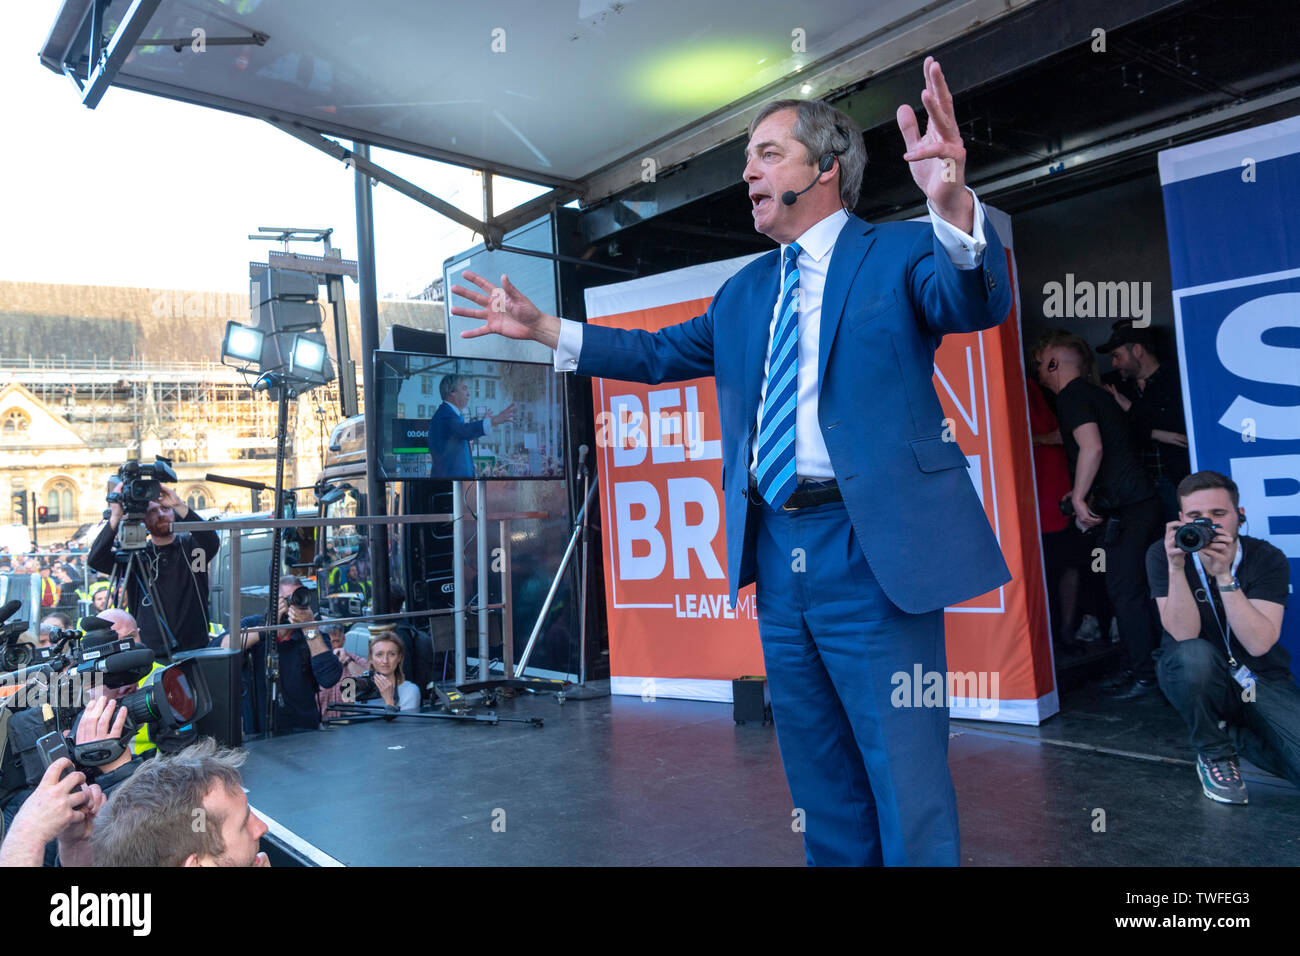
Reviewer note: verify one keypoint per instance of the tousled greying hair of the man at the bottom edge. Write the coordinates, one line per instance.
(150, 820)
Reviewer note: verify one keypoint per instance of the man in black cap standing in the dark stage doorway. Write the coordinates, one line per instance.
(1155, 408)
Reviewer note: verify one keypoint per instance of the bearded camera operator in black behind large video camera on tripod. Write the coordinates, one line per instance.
(179, 568)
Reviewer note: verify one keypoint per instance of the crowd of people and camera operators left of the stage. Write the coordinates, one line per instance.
(137, 808)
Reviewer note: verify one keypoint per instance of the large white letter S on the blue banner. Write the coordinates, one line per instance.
(1243, 352)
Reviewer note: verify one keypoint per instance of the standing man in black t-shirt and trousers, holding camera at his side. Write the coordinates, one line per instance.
(1111, 495)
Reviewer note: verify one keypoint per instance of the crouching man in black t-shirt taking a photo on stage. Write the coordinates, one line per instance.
(1220, 663)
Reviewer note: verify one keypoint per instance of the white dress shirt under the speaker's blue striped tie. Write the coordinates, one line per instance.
(812, 460)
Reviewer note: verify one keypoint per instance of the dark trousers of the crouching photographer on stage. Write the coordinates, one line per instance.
(1195, 678)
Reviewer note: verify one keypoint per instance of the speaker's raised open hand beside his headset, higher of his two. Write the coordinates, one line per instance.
(938, 158)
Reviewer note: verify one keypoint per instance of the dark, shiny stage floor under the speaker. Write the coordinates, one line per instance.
(631, 784)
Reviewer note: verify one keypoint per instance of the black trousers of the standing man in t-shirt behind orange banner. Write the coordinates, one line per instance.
(1137, 526)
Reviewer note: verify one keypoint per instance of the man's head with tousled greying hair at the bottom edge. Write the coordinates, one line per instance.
(150, 820)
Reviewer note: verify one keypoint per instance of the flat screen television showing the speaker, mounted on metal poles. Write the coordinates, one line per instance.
(448, 418)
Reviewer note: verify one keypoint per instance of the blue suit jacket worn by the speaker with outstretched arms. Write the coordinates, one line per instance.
(891, 296)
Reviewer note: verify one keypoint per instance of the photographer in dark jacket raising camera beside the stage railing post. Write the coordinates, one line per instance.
(307, 664)
